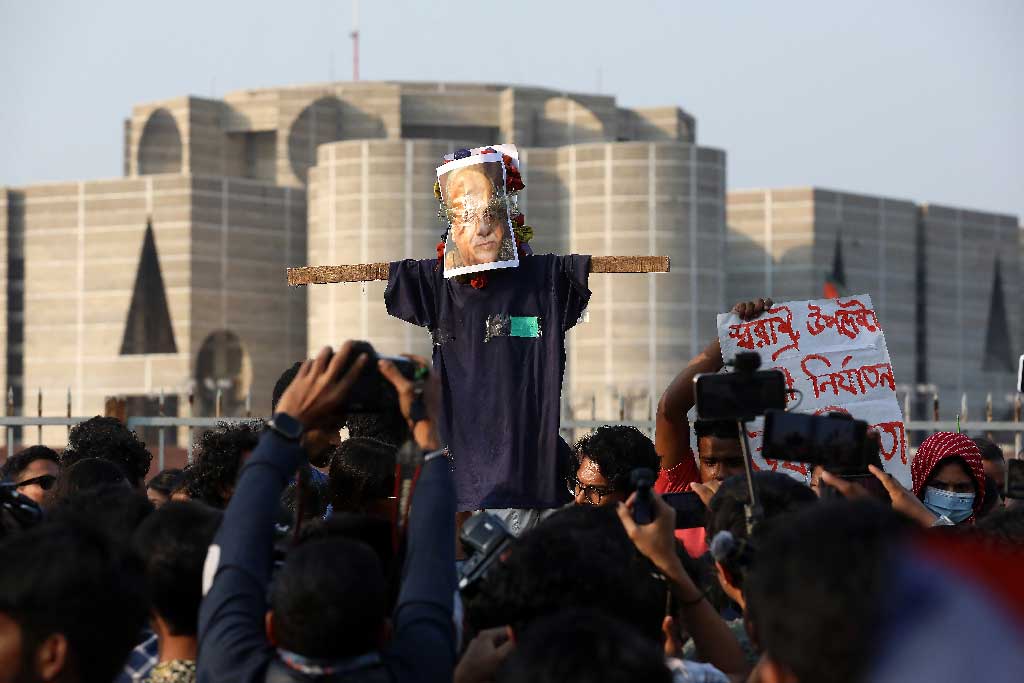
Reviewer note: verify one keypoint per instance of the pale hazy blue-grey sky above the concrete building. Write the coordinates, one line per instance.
(921, 101)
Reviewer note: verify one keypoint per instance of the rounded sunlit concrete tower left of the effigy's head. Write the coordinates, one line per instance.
(371, 201)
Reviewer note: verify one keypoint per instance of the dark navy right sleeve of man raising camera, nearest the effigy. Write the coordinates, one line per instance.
(424, 648)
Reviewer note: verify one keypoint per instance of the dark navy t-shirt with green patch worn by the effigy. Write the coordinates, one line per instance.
(501, 354)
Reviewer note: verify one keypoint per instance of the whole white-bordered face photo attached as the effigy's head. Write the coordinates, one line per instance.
(480, 232)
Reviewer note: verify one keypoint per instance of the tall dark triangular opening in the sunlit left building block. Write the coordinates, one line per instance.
(149, 328)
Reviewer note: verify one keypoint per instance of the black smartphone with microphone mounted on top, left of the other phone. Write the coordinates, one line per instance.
(740, 396)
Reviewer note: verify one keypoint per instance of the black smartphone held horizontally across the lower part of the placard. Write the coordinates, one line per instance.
(836, 442)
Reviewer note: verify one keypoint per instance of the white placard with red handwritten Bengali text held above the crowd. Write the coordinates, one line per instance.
(834, 353)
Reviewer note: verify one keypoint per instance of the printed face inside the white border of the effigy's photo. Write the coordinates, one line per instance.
(479, 227)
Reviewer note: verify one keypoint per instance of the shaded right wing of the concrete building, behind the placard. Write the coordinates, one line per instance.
(942, 281)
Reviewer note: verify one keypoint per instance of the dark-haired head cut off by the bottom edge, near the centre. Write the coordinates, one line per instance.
(584, 647)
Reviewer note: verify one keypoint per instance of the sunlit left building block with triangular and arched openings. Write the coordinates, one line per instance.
(162, 284)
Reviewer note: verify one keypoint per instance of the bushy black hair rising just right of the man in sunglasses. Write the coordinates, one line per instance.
(108, 439)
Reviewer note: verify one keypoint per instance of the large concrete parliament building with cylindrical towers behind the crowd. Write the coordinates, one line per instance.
(173, 278)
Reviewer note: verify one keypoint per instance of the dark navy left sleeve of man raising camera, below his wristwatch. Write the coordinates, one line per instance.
(233, 647)
